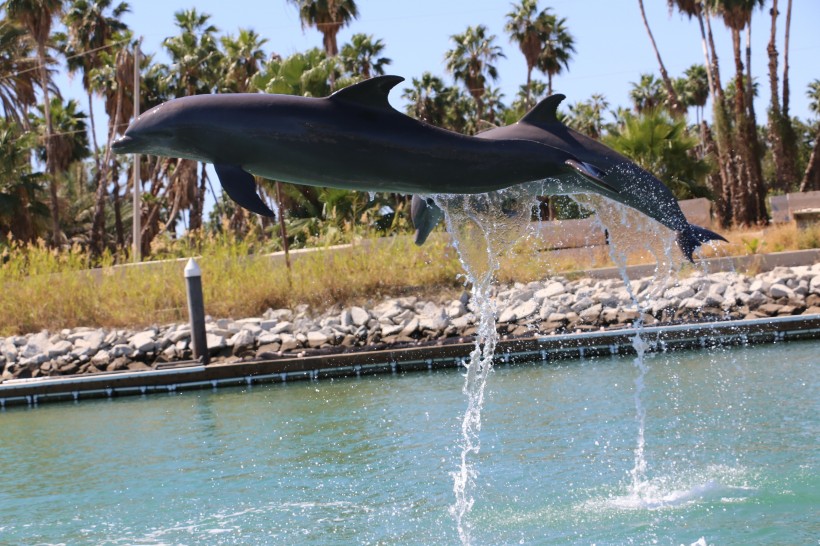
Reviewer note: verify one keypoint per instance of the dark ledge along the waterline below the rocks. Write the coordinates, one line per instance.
(192, 375)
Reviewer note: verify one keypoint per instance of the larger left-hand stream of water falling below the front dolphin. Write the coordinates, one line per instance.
(483, 228)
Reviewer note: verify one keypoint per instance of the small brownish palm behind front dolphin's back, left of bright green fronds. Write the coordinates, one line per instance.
(242, 59)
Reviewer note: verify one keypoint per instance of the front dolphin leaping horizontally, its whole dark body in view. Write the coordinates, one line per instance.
(352, 139)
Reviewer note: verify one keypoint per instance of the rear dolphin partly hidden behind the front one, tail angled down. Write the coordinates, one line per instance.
(634, 187)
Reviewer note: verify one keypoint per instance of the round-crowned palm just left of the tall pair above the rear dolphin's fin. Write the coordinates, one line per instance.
(471, 62)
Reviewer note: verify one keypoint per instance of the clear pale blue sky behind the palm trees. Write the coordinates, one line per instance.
(612, 46)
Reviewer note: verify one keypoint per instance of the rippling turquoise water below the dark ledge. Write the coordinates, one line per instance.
(731, 458)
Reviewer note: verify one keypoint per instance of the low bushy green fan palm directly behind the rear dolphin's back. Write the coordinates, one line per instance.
(662, 146)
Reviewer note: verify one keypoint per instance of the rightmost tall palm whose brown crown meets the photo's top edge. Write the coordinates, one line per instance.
(749, 201)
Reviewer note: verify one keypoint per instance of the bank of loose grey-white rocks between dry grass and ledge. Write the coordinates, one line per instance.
(556, 305)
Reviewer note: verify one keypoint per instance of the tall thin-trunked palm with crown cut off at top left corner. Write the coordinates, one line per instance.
(37, 16)
